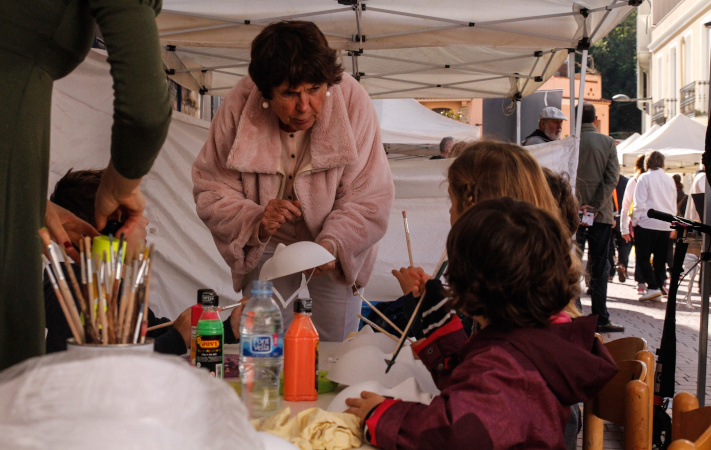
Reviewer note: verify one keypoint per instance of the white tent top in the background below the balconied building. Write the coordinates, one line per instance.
(681, 140)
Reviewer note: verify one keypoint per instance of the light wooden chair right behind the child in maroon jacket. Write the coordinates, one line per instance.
(623, 401)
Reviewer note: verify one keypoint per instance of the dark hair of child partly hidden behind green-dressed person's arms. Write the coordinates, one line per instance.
(76, 192)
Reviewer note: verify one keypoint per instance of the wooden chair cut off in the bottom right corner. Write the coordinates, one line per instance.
(691, 425)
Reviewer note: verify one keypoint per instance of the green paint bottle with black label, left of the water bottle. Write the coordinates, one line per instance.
(210, 337)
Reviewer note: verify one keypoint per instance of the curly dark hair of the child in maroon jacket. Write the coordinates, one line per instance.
(511, 263)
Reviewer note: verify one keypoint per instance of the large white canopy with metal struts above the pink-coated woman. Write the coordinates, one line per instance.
(395, 48)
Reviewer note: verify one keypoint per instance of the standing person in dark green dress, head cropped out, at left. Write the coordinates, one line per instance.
(43, 41)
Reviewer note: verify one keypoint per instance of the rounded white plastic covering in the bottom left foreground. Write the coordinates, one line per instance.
(119, 400)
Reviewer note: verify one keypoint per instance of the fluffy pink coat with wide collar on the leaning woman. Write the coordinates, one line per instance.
(345, 194)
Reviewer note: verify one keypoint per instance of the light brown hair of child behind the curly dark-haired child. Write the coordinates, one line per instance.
(491, 169)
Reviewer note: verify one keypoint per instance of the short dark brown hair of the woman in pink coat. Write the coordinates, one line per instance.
(293, 51)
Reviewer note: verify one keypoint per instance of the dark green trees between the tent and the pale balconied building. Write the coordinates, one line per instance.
(615, 58)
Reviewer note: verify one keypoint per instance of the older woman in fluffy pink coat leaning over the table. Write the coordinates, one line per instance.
(294, 154)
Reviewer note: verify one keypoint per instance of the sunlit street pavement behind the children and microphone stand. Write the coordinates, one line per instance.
(646, 320)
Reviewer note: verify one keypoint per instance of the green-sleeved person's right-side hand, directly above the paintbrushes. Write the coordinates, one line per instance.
(119, 198)
